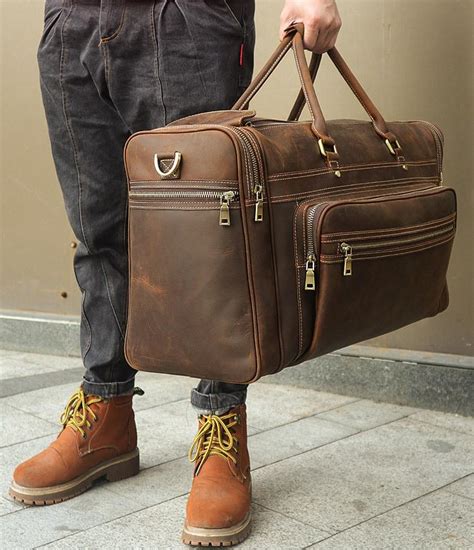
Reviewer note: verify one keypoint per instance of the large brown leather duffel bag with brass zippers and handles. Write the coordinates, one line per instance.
(256, 244)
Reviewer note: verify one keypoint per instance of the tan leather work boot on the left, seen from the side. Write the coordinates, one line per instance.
(98, 439)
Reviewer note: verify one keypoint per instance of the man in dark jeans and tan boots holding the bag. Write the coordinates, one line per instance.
(110, 68)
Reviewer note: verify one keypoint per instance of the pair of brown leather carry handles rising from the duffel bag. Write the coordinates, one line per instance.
(294, 40)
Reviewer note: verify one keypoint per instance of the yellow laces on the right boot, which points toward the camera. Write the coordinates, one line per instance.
(214, 437)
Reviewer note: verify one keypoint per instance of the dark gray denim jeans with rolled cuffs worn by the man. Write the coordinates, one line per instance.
(109, 68)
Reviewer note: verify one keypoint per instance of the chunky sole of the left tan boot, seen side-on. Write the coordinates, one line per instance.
(124, 466)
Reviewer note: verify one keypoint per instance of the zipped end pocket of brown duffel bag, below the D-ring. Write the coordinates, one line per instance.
(188, 273)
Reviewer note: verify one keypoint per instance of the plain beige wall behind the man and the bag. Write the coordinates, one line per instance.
(413, 56)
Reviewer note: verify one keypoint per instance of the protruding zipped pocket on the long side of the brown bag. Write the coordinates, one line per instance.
(372, 266)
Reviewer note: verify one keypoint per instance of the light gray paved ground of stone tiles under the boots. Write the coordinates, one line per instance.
(330, 472)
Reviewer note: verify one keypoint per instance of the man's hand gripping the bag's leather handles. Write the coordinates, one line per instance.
(321, 22)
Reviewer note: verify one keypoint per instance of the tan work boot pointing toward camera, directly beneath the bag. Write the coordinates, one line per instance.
(218, 509)
